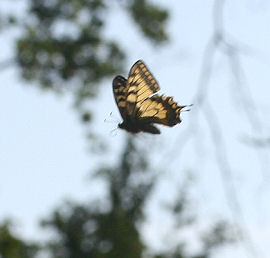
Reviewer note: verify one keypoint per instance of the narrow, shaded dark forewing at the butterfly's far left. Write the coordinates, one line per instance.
(120, 94)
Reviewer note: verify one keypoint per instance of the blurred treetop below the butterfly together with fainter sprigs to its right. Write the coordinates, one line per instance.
(111, 227)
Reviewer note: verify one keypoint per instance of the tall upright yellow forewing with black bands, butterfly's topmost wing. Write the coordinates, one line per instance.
(140, 85)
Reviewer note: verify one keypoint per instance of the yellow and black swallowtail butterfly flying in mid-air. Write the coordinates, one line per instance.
(138, 104)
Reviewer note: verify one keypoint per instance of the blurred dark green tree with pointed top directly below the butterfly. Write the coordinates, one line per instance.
(108, 229)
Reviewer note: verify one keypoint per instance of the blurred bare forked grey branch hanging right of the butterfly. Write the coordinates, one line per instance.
(218, 43)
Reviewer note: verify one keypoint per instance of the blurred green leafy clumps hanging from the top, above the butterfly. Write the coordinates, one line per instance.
(63, 44)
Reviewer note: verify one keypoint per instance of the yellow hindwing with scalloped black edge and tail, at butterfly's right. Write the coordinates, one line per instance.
(160, 110)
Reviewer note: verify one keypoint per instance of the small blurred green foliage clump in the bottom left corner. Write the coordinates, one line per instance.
(11, 246)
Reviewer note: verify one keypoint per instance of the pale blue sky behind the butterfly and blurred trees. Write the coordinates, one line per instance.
(44, 158)
